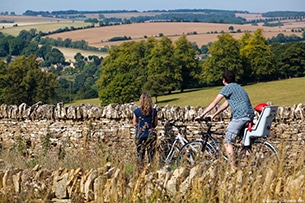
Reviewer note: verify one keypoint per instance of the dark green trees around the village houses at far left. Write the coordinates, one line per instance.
(77, 82)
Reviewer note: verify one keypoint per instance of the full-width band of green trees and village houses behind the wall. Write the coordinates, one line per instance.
(160, 66)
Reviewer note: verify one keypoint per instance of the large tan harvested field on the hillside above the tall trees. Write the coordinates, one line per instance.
(98, 37)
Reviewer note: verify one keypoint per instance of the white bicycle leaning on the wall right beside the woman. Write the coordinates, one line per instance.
(170, 147)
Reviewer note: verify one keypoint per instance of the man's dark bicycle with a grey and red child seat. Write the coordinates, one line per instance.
(251, 147)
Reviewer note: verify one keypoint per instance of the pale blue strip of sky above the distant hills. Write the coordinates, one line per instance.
(253, 6)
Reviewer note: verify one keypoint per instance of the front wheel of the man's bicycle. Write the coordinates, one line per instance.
(197, 152)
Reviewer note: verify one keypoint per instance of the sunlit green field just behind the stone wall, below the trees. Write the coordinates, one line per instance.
(281, 93)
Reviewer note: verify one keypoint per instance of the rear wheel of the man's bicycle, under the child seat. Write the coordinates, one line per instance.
(259, 154)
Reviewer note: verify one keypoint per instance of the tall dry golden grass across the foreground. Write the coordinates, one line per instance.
(281, 182)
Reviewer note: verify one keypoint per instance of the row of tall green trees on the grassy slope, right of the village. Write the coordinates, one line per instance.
(162, 66)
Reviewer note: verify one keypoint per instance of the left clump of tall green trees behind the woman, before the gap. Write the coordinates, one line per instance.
(153, 65)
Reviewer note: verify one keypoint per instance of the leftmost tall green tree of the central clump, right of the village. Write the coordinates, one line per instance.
(123, 73)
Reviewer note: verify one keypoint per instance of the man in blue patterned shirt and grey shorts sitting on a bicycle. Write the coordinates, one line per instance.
(238, 100)
